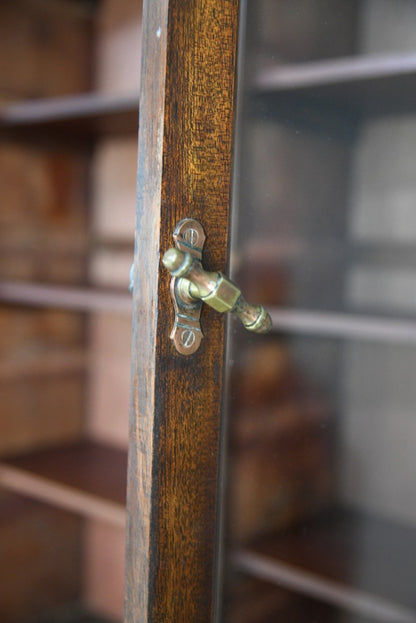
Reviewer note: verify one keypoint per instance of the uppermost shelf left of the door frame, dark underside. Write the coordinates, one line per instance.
(80, 116)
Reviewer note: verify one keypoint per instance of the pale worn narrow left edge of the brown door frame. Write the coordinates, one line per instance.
(145, 299)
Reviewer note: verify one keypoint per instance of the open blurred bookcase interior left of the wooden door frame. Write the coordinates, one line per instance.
(69, 93)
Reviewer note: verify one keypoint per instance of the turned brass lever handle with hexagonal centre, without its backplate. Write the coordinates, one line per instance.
(215, 289)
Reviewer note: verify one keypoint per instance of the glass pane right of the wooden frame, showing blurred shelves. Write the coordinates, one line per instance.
(322, 489)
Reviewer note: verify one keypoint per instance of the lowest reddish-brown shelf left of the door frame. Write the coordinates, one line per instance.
(84, 477)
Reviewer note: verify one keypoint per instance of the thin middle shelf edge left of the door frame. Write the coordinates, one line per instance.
(65, 297)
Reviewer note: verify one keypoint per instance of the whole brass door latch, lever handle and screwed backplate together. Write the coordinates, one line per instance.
(191, 285)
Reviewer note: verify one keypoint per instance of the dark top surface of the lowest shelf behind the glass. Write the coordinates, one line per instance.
(363, 552)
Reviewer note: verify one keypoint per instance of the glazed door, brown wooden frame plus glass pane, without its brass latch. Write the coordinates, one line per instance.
(321, 512)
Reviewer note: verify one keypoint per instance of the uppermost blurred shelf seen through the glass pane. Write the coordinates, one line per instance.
(365, 85)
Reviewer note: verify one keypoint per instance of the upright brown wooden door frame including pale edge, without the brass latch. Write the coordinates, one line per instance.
(184, 170)
